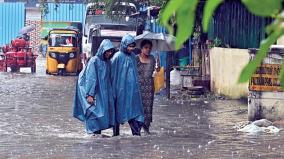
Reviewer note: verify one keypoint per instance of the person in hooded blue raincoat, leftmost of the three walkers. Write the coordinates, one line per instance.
(93, 100)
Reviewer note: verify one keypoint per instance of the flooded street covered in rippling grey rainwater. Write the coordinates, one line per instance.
(36, 122)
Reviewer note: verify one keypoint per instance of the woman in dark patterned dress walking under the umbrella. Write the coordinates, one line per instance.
(146, 66)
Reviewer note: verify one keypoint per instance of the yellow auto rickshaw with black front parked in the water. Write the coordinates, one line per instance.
(63, 55)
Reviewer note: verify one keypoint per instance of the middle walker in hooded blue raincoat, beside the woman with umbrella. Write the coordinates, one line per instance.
(127, 97)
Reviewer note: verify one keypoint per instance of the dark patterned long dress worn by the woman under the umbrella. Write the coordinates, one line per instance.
(146, 80)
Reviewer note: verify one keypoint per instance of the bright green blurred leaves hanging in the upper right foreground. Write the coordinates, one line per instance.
(185, 11)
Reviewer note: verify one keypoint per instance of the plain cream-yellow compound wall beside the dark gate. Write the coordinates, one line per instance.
(225, 67)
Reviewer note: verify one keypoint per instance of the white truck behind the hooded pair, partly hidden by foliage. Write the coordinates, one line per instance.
(95, 18)
